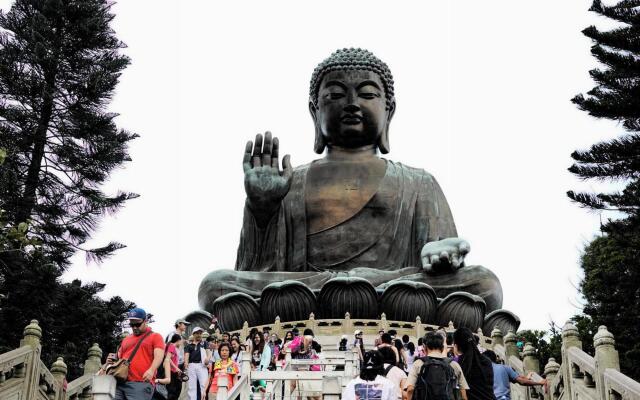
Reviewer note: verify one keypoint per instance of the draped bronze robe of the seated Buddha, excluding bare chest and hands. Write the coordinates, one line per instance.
(381, 242)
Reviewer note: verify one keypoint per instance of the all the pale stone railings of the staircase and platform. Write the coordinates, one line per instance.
(578, 376)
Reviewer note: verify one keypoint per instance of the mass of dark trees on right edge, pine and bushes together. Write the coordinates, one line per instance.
(611, 263)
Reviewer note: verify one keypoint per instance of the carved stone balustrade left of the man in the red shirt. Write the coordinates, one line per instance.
(23, 375)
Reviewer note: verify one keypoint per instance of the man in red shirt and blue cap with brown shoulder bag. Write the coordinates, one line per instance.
(147, 359)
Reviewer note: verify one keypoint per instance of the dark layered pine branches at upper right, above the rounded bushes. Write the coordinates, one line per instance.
(616, 97)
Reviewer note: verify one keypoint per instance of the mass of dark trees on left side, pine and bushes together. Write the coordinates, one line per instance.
(59, 64)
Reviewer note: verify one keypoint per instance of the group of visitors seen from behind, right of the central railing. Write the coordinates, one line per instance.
(443, 366)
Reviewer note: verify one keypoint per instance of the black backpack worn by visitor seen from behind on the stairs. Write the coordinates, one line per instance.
(436, 381)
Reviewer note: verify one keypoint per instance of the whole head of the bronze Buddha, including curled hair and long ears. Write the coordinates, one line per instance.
(351, 101)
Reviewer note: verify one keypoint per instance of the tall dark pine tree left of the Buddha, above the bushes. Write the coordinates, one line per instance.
(59, 64)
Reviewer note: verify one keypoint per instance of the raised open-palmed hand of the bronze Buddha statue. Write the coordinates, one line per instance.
(264, 183)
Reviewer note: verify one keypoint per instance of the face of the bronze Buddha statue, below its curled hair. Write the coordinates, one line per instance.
(351, 108)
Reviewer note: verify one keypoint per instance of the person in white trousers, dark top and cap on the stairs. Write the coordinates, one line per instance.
(196, 358)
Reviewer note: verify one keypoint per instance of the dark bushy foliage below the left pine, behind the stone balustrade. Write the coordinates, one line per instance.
(71, 315)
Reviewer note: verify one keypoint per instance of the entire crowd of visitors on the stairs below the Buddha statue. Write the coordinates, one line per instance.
(442, 366)
